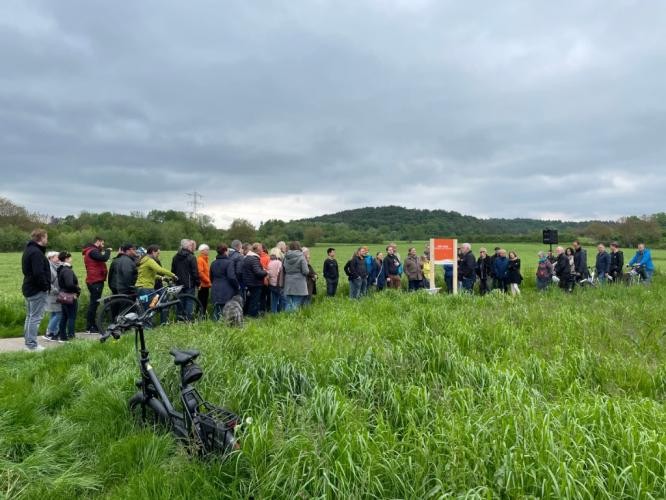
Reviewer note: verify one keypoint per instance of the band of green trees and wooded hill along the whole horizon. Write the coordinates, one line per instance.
(367, 225)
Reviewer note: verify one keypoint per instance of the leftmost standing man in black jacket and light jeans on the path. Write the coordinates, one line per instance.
(36, 285)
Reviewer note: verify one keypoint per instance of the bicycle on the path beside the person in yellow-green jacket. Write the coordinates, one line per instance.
(122, 304)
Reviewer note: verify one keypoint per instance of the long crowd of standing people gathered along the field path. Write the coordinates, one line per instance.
(279, 279)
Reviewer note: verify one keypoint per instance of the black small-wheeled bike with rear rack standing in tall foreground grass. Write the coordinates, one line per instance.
(205, 428)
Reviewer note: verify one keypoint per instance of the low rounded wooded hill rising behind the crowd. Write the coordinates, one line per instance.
(399, 223)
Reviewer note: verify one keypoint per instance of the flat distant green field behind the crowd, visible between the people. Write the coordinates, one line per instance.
(12, 312)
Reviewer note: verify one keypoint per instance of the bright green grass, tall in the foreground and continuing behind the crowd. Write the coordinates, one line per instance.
(397, 395)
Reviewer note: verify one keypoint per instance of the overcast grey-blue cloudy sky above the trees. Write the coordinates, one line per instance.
(291, 109)
